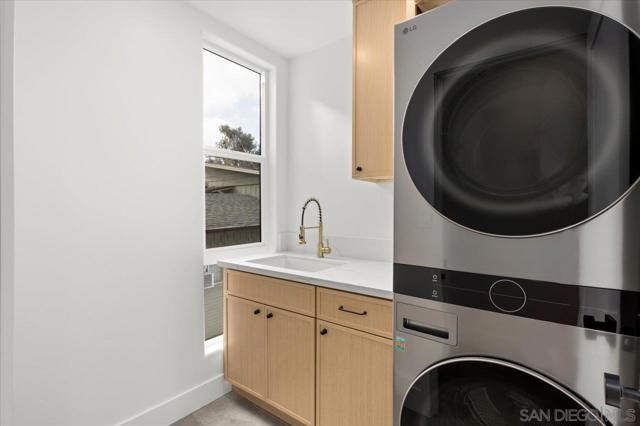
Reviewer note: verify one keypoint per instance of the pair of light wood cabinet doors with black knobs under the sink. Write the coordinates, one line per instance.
(270, 355)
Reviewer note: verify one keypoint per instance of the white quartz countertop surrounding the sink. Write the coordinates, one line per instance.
(368, 277)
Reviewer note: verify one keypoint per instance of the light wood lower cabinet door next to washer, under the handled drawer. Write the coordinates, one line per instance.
(354, 377)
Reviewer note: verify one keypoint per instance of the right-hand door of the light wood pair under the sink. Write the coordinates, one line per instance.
(291, 364)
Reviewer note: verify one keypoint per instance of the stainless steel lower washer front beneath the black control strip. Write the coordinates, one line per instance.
(502, 369)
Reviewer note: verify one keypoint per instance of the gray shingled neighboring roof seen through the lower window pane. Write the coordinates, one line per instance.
(228, 210)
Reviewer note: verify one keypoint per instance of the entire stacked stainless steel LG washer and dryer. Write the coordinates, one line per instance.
(517, 214)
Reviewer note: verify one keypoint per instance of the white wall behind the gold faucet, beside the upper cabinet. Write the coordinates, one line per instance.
(358, 215)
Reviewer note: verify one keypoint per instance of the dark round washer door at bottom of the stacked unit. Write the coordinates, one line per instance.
(488, 392)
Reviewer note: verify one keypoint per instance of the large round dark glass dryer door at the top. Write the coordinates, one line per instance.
(529, 123)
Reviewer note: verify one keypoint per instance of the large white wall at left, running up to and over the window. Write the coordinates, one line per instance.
(109, 245)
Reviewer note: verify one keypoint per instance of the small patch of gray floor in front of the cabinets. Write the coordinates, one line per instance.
(230, 410)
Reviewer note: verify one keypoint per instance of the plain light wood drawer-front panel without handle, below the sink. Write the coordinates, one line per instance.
(296, 297)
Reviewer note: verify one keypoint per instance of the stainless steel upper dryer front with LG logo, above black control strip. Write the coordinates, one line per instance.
(578, 231)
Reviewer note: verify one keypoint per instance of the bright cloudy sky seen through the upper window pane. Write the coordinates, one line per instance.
(231, 96)
